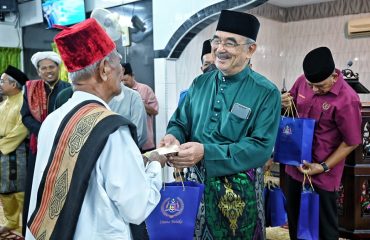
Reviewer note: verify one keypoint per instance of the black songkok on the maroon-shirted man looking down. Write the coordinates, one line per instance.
(318, 65)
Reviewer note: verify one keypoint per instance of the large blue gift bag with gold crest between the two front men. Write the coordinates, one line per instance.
(175, 215)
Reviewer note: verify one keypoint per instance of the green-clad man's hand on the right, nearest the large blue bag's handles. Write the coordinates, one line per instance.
(190, 153)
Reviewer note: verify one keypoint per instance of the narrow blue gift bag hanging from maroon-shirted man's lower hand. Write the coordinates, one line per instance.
(308, 222)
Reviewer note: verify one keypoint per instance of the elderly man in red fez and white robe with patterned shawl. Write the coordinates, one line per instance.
(91, 182)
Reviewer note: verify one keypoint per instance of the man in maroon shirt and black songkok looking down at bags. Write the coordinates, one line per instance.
(321, 93)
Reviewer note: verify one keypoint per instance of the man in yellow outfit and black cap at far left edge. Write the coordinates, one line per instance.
(12, 147)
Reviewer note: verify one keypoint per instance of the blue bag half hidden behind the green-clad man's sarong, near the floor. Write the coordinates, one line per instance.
(275, 211)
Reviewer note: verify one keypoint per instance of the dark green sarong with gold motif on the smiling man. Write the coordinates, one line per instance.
(231, 207)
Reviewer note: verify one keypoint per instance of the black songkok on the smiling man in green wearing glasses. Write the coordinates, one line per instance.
(239, 23)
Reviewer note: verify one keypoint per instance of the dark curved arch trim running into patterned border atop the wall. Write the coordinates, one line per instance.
(206, 16)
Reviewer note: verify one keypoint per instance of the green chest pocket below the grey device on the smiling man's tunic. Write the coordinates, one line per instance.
(233, 127)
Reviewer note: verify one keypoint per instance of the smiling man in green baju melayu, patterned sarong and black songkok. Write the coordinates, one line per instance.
(228, 120)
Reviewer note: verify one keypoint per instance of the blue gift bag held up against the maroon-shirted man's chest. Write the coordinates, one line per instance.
(294, 140)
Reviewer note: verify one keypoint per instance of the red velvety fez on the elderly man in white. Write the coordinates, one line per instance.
(83, 44)
